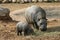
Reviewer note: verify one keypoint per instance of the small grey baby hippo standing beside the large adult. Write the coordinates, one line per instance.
(23, 28)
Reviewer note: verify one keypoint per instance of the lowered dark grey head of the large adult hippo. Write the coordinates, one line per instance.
(42, 24)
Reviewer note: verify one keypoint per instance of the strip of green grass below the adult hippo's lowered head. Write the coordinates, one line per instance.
(39, 33)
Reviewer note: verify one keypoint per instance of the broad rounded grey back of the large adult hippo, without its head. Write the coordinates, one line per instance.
(33, 12)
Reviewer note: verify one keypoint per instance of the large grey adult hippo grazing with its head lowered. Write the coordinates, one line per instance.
(37, 16)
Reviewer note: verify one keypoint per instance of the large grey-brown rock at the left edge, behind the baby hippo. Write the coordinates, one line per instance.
(4, 13)
